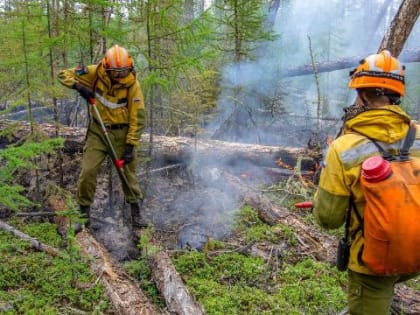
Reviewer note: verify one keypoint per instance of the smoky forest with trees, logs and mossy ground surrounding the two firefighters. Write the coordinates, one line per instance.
(242, 99)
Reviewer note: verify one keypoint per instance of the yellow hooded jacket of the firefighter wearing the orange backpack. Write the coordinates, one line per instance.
(340, 176)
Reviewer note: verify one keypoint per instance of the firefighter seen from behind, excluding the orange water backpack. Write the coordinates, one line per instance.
(379, 82)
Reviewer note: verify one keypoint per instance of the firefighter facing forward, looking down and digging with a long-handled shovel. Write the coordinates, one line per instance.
(119, 100)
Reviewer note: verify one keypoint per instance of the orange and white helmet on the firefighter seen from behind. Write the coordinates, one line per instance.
(379, 71)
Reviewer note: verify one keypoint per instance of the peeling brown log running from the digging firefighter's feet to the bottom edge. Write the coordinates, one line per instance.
(123, 292)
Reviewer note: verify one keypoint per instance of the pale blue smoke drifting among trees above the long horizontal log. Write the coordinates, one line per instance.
(259, 104)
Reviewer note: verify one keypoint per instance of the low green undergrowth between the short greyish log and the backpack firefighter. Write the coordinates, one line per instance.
(225, 281)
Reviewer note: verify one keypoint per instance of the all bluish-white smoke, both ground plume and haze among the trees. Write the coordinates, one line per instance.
(259, 104)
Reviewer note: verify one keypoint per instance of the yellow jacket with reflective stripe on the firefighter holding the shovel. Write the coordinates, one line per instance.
(118, 103)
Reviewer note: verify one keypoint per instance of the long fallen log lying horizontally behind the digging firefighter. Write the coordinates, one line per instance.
(173, 150)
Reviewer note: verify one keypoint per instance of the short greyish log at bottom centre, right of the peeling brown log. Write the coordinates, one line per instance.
(172, 288)
